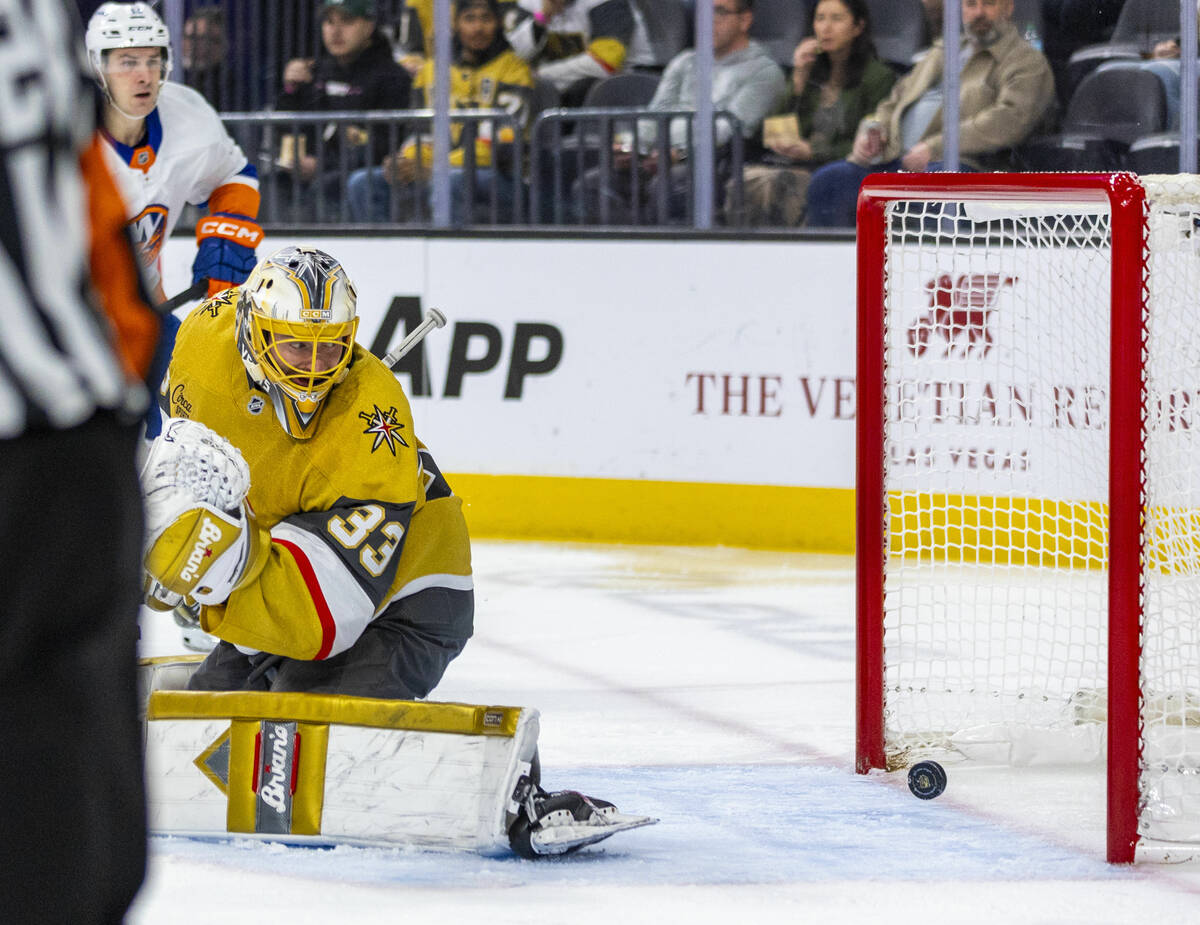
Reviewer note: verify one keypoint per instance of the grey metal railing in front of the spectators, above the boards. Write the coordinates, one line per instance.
(569, 164)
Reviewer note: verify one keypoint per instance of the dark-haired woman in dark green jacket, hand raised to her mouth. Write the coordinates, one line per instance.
(837, 82)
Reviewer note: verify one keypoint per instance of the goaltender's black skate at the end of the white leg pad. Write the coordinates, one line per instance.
(566, 821)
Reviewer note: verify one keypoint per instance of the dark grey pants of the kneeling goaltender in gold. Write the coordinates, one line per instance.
(401, 656)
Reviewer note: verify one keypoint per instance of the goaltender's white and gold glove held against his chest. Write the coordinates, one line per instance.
(202, 538)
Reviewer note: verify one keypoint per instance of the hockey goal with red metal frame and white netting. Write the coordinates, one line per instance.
(1029, 483)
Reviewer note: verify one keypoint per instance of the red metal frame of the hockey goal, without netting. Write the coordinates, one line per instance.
(1127, 202)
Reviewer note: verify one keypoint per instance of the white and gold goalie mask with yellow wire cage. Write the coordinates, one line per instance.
(296, 333)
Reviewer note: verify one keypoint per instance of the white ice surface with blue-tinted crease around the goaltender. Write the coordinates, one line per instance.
(713, 689)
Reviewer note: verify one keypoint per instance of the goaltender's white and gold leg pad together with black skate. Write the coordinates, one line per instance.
(307, 768)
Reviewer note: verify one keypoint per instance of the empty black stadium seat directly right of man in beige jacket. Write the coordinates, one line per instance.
(1109, 111)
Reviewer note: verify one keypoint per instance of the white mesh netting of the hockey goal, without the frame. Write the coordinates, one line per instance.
(997, 458)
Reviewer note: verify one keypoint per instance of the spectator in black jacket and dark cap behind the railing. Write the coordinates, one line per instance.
(357, 73)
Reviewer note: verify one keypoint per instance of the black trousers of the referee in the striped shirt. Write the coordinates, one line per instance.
(73, 803)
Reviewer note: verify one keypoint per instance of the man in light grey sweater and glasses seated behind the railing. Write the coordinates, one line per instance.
(747, 83)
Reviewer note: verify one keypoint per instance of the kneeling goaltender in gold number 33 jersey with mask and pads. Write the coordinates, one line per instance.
(292, 513)
